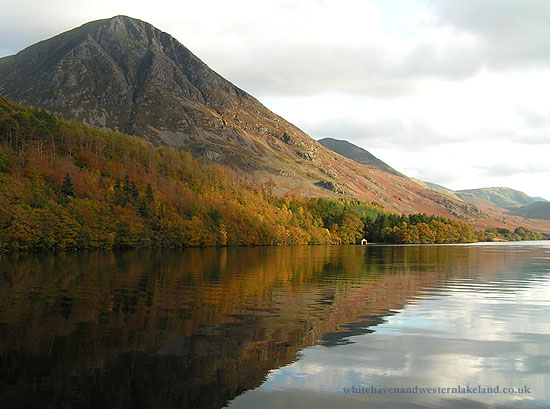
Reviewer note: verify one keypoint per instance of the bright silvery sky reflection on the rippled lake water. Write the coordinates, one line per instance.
(487, 329)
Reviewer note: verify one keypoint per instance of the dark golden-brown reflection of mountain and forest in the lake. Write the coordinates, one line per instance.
(196, 328)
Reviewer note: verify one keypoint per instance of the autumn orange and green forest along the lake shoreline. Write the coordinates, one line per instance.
(67, 186)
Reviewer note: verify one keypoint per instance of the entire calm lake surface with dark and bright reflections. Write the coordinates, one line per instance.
(295, 327)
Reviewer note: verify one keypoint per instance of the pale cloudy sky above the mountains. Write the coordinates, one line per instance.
(452, 92)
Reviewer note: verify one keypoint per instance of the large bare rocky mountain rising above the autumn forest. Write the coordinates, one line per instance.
(125, 75)
